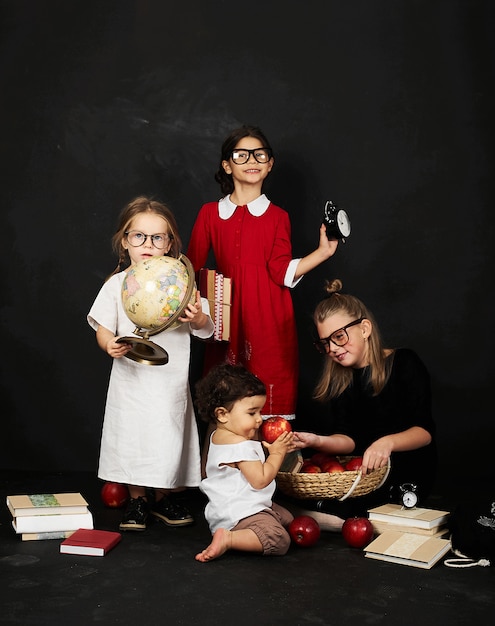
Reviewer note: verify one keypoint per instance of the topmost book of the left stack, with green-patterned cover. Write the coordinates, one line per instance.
(46, 504)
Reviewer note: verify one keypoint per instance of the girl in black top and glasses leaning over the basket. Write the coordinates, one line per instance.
(379, 400)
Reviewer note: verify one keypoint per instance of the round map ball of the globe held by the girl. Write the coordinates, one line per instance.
(156, 291)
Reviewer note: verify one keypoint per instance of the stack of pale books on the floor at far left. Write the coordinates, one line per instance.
(48, 515)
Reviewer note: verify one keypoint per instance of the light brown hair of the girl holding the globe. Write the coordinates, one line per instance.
(143, 204)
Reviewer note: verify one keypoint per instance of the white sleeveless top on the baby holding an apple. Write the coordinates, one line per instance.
(230, 496)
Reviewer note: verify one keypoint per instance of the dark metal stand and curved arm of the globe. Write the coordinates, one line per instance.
(147, 352)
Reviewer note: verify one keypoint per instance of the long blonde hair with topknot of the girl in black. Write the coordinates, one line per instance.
(335, 378)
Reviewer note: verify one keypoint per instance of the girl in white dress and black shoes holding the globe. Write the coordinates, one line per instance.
(150, 438)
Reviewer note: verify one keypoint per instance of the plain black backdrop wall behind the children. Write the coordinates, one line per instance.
(386, 108)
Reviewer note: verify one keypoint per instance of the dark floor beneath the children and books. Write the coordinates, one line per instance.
(152, 578)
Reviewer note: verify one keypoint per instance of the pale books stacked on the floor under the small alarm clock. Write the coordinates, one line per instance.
(415, 537)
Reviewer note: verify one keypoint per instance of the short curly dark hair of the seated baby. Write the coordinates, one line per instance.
(223, 386)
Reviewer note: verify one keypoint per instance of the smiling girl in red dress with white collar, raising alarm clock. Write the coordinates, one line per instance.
(251, 240)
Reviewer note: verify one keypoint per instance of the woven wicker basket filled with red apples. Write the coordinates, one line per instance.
(341, 485)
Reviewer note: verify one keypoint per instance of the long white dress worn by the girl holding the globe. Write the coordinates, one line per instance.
(150, 434)
